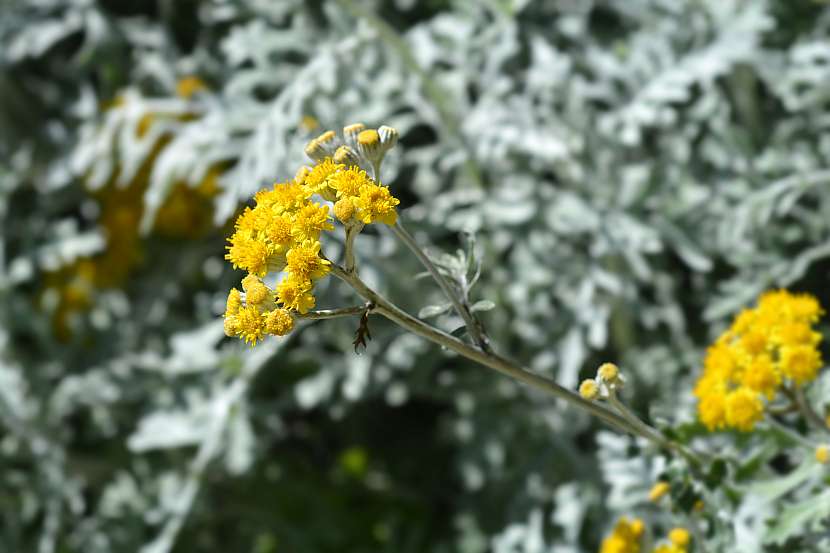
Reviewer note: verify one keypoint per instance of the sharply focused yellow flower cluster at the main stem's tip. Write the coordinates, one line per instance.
(282, 234)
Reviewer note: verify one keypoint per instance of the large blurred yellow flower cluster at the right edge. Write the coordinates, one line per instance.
(766, 348)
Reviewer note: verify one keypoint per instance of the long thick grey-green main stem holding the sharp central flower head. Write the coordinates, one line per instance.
(494, 361)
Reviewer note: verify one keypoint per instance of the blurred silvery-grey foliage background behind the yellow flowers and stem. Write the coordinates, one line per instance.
(630, 174)
